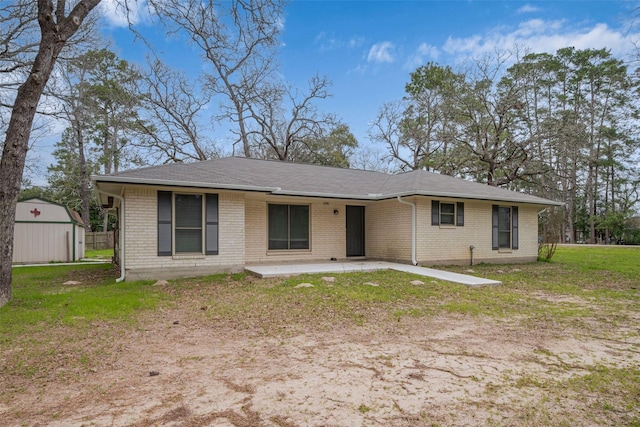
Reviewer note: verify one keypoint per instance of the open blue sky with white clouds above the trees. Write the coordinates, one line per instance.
(369, 48)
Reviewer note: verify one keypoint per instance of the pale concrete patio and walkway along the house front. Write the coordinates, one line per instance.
(275, 270)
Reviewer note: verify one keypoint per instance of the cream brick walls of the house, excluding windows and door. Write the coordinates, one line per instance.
(244, 224)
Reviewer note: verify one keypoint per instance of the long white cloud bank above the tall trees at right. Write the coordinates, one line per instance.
(541, 36)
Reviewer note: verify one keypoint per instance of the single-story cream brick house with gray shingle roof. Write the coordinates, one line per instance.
(219, 215)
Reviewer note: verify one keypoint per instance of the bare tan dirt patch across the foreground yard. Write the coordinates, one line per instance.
(443, 370)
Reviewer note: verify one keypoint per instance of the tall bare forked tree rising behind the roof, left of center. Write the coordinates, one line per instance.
(238, 39)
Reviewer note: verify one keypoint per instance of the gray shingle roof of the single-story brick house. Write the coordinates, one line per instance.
(298, 179)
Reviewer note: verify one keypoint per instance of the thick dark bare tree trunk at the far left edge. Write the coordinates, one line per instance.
(57, 25)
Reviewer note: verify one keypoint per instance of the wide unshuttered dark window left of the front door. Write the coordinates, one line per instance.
(288, 227)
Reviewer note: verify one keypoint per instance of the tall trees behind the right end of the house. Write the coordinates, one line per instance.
(563, 126)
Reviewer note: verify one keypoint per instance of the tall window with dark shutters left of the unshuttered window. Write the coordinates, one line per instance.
(187, 224)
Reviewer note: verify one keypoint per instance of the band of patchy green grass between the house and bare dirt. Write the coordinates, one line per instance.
(579, 283)
